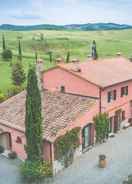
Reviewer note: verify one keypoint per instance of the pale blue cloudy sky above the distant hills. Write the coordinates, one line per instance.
(31, 12)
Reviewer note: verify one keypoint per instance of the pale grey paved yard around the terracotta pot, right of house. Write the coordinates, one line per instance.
(85, 169)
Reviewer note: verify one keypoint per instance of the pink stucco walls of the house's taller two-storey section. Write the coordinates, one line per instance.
(57, 77)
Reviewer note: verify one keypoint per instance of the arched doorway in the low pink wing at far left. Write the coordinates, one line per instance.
(5, 140)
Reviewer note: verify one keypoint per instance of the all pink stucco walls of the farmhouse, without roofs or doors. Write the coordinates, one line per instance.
(53, 80)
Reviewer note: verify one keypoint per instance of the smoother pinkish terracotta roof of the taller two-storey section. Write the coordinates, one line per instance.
(102, 72)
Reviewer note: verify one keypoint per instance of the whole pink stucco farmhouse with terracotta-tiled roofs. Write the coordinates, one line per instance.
(73, 94)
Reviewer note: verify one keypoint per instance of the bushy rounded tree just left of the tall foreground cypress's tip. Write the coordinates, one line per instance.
(18, 75)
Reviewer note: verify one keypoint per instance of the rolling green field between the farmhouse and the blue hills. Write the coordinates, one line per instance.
(59, 42)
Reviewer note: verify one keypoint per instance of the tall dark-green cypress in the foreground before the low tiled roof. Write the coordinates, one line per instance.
(33, 119)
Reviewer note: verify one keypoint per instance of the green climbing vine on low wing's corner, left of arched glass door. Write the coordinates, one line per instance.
(65, 146)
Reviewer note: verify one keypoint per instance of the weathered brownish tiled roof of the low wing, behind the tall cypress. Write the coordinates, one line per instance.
(59, 110)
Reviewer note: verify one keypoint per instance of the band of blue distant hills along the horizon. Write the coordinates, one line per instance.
(82, 27)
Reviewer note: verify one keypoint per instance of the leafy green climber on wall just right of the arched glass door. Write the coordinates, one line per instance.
(102, 127)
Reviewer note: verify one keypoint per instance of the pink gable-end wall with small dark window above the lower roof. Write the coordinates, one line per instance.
(54, 79)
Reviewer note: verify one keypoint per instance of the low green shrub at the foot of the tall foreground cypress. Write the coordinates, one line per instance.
(32, 171)
